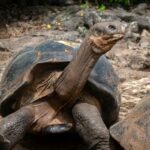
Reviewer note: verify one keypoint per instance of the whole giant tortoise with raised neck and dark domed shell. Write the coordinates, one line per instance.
(55, 88)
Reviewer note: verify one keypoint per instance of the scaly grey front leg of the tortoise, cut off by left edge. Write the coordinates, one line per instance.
(14, 127)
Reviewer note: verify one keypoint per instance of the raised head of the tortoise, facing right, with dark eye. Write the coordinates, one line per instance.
(104, 35)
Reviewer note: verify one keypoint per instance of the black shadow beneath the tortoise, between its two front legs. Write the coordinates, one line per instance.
(55, 142)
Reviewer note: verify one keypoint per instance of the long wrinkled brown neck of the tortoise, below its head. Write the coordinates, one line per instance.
(75, 75)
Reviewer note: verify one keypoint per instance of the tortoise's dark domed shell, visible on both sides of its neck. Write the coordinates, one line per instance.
(29, 75)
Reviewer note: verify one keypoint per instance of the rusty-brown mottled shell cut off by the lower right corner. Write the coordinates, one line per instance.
(133, 133)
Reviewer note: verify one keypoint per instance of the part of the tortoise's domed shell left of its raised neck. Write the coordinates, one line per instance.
(32, 71)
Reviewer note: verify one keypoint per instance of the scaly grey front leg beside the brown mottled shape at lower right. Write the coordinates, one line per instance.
(90, 126)
